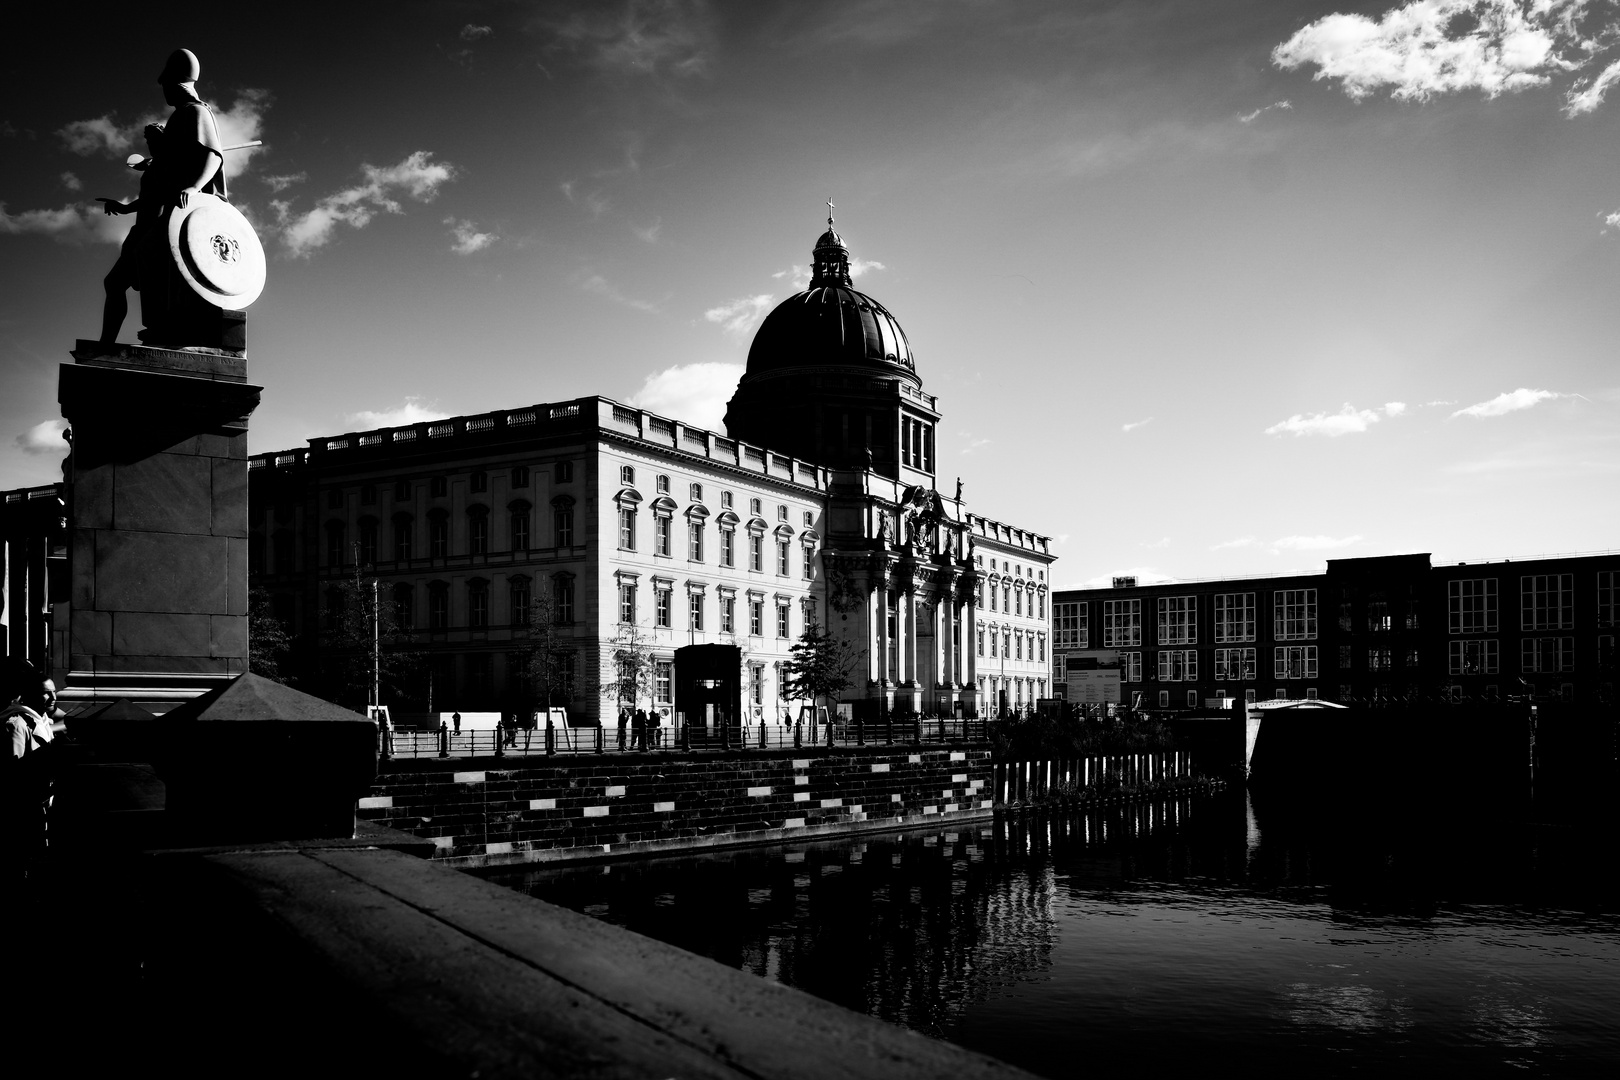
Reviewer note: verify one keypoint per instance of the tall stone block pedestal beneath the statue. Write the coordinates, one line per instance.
(158, 522)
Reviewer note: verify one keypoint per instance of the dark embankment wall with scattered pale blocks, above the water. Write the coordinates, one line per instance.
(485, 812)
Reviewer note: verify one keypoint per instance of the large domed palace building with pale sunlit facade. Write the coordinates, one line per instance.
(821, 506)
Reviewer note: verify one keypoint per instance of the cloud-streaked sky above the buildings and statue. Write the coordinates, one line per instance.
(1204, 287)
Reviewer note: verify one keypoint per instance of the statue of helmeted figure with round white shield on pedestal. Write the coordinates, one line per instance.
(190, 253)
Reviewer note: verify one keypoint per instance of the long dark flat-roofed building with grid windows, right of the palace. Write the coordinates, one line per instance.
(1384, 629)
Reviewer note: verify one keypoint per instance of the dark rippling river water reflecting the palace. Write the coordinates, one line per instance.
(1216, 933)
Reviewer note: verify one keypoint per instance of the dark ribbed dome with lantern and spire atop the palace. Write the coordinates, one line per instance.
(830, 325)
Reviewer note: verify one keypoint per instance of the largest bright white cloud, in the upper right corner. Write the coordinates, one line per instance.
(1428, 48)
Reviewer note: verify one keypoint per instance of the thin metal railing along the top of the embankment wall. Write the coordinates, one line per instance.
(681, 738)
